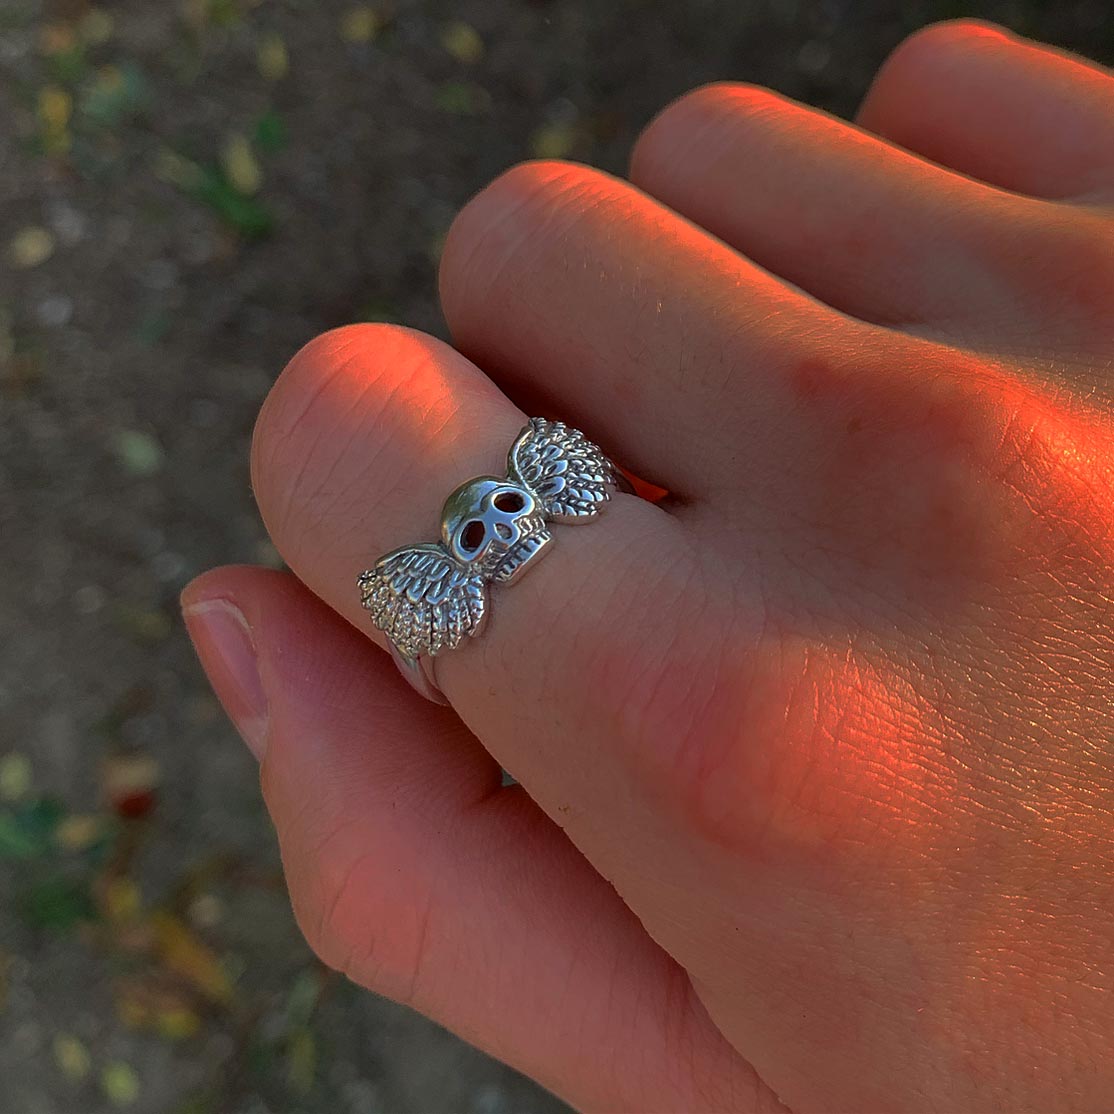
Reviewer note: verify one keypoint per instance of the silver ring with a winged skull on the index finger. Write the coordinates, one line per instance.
(428, 599)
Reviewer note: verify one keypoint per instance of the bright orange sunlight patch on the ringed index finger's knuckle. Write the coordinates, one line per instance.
(837, 760)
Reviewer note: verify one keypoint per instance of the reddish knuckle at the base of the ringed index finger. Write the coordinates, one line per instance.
(799, 750)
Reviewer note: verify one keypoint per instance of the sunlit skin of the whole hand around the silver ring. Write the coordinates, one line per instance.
(816, 758)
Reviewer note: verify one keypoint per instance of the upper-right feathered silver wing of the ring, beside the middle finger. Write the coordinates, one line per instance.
(565, 472)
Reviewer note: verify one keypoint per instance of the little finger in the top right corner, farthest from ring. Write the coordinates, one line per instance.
(971, 96)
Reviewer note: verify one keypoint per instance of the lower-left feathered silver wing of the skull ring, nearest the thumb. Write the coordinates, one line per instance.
(424, 600)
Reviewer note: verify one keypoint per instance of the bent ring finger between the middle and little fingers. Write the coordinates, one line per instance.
(864, 227)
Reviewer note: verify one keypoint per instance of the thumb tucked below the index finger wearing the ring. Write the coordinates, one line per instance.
(416, 875)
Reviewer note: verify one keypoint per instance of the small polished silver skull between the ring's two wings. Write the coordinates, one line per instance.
(496, 526)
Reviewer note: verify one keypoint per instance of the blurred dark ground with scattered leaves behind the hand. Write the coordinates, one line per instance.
(188, 193)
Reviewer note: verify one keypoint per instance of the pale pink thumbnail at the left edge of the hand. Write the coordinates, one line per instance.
(223, 641)
